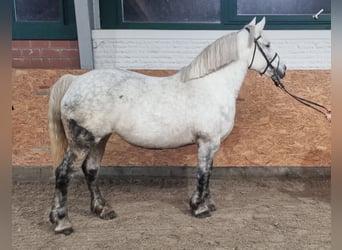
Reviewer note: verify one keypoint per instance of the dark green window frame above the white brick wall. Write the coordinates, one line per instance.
(112, 18)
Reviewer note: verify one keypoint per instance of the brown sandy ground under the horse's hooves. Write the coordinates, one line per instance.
(263, 213)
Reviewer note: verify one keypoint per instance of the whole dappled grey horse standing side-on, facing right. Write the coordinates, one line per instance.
(195, 105)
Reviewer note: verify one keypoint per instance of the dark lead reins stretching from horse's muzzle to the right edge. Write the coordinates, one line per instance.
(316, 106)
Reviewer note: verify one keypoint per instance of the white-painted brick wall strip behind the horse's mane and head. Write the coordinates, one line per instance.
(167, 49)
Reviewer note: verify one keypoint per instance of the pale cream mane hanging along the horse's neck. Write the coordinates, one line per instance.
(215, 56)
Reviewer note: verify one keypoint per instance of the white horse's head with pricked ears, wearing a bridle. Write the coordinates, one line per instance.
(262, 58)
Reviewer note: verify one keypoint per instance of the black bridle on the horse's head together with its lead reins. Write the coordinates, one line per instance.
(276, 79)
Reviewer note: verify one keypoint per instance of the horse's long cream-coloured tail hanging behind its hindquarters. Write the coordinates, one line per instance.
(58, 139)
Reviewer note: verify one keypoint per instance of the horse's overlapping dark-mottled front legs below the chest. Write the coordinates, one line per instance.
(201, 203)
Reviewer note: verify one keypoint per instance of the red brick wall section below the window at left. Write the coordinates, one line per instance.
(45, 54)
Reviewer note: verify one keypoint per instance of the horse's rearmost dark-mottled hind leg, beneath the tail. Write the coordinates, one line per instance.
(80, 142)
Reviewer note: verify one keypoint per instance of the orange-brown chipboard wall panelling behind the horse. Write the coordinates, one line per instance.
(271, 129)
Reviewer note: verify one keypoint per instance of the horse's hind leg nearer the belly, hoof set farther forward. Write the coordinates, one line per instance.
(90, 167)
